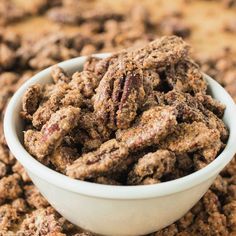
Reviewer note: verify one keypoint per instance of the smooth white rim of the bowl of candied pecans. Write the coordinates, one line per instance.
(111, 191)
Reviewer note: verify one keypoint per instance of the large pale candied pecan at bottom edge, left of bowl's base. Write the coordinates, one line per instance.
(43, 221)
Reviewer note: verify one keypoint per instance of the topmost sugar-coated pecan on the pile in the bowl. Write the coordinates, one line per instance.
(162, 52)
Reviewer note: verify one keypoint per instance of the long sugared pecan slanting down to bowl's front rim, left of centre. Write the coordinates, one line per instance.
(109, 157)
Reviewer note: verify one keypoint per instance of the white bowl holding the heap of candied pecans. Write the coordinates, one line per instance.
(116, 210)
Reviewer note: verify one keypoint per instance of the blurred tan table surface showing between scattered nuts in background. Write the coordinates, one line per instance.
(206, 18)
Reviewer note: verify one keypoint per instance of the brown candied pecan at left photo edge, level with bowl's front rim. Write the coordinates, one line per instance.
(10, 188)
